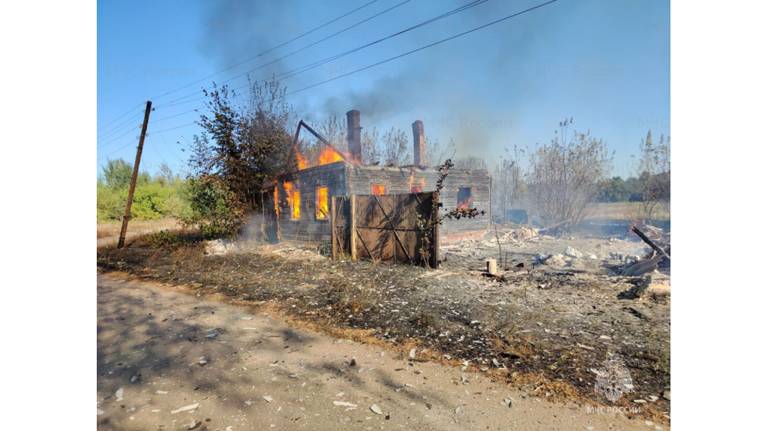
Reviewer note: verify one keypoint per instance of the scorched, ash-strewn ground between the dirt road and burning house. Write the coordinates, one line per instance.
(557, 310)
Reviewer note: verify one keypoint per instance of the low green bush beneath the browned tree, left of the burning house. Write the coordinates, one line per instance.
(214, 207)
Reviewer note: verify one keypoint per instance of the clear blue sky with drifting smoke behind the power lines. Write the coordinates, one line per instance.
(604, 63)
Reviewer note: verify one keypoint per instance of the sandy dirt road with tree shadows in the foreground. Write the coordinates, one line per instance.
(168, 360)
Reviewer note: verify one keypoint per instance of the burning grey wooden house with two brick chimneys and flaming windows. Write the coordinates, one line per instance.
(298, 204)
